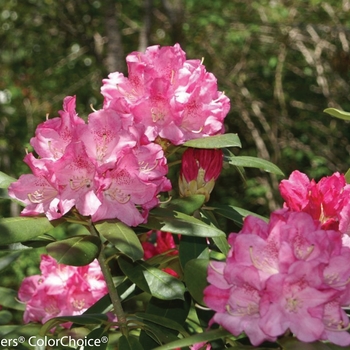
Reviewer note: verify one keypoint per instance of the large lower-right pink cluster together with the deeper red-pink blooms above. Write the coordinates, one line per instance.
(290, 274)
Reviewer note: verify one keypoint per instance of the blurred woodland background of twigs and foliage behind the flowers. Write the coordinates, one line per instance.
(280, 62)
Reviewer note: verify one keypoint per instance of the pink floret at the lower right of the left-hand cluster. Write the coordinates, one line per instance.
(122, 192)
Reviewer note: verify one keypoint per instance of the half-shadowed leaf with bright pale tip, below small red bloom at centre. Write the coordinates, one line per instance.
(152, 280)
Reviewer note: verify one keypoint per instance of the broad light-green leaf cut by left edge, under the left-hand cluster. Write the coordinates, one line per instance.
(21, 229)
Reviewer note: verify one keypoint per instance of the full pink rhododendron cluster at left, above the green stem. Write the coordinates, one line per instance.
(102, 169)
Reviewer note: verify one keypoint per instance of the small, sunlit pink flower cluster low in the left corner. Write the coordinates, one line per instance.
(61, 290)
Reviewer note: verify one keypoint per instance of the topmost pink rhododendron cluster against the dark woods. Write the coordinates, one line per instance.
(176, 99)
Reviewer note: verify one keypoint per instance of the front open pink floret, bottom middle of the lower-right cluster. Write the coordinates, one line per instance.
(293, 301)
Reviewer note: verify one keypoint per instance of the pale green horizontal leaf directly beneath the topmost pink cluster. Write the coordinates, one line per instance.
(217, 141)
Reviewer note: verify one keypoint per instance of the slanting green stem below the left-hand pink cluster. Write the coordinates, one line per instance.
(112, 291)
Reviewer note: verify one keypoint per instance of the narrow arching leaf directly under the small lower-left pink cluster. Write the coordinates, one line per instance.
(90, 319)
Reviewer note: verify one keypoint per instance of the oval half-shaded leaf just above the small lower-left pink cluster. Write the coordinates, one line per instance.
(76, 251)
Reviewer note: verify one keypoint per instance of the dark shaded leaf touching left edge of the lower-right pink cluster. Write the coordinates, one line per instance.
(195, 277)
